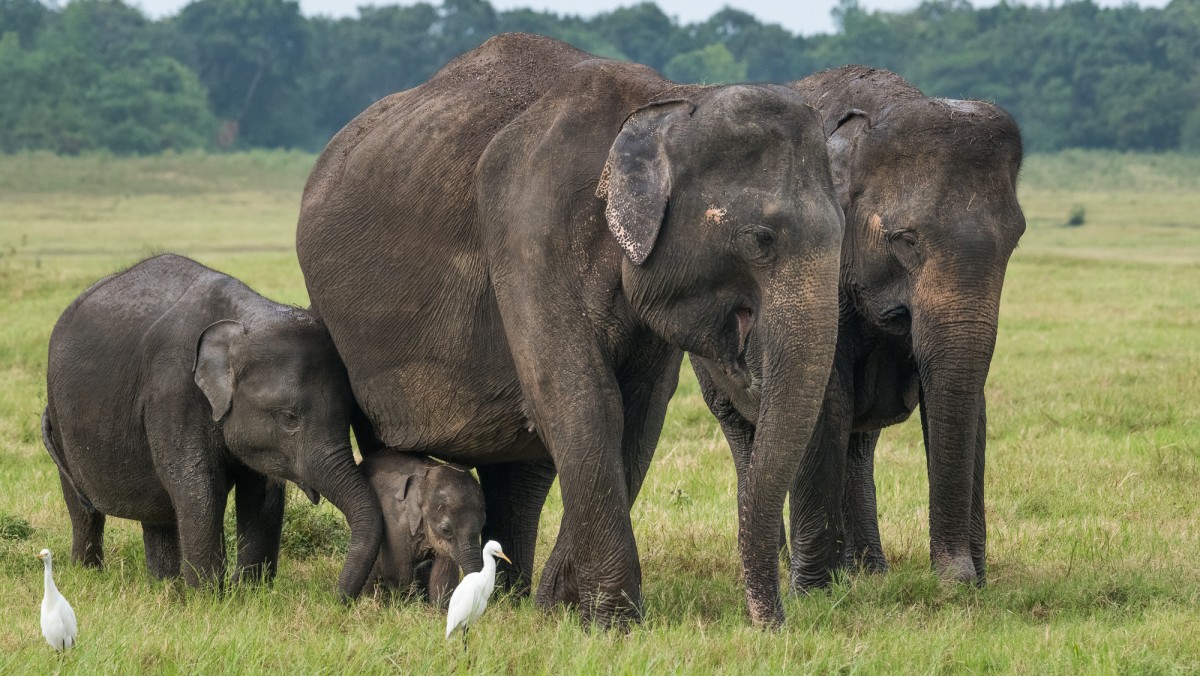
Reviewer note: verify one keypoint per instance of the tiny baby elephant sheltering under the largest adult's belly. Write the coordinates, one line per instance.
(433, 513)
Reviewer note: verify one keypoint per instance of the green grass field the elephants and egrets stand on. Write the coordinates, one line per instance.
(1094, 477)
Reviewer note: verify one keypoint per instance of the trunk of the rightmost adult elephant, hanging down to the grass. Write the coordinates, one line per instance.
(953, 343)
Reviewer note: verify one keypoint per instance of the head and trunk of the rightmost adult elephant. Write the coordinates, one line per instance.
(929, 192)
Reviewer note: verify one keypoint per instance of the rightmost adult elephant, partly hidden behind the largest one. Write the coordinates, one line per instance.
(929, 192)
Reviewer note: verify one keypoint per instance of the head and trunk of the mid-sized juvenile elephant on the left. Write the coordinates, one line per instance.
(284, 402)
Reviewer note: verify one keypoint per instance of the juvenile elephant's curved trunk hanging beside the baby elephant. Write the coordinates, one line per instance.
(347, 488)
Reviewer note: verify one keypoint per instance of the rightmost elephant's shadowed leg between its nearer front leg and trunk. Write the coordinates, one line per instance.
(865, 551)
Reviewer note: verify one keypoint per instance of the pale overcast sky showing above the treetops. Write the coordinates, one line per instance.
(806, 17)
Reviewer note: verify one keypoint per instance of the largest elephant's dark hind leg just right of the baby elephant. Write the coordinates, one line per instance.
(514, 495)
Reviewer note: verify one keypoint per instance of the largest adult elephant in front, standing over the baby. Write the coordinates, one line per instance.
(513, 256)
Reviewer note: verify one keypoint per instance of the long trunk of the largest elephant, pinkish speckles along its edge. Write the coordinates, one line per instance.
(797, 336)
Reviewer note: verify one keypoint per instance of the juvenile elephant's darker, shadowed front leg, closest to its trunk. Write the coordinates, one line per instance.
(260, 504)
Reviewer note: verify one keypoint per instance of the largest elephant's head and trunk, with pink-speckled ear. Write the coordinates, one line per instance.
(725, 210)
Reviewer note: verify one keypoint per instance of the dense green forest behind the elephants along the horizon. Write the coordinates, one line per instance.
(245, 74)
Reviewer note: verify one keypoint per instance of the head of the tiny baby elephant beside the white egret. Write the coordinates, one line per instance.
(447, 510)
